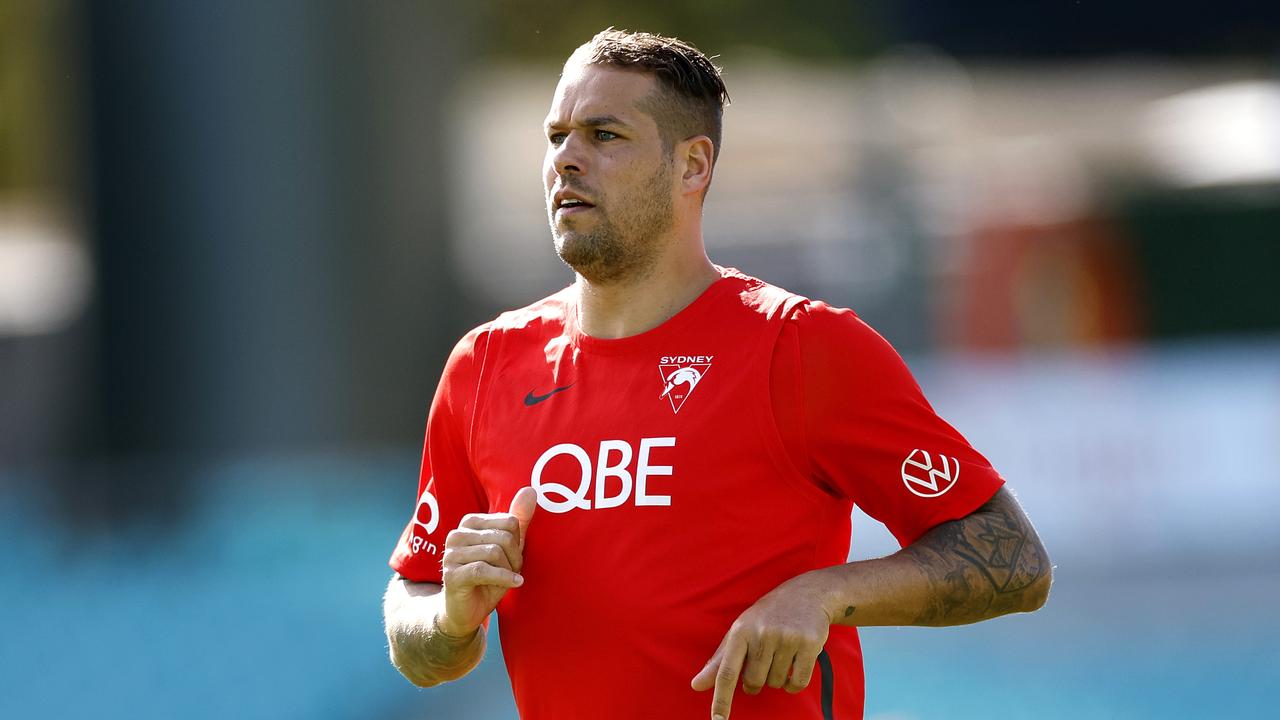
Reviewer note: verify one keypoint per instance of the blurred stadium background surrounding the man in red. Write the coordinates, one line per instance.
(237, 241)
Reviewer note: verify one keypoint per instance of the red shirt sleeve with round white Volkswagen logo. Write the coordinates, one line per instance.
(870, 434)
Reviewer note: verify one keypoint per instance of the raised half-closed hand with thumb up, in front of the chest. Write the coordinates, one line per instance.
(483, 559)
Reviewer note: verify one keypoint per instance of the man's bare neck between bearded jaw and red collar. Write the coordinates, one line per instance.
(634, 306)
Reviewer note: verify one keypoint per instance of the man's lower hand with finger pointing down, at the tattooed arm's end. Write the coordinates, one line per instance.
(775, 642)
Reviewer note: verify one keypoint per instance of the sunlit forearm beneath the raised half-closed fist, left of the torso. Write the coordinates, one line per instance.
(426, 655)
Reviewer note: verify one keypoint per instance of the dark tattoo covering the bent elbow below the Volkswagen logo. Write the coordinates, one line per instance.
(982, 566)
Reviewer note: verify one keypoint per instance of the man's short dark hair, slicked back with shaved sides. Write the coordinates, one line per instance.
(692, 97)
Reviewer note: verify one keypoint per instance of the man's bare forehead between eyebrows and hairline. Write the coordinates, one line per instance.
(593, 92)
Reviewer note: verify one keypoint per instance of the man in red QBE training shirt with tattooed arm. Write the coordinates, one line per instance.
(692, 443)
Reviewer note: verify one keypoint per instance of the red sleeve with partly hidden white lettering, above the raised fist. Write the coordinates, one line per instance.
(447, 487)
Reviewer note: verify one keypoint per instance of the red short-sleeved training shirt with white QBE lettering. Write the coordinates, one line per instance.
(683, 473)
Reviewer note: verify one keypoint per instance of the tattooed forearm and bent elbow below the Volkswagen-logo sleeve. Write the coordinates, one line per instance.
(989, 564)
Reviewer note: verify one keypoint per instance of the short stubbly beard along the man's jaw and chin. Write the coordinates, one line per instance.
(624, 245)
